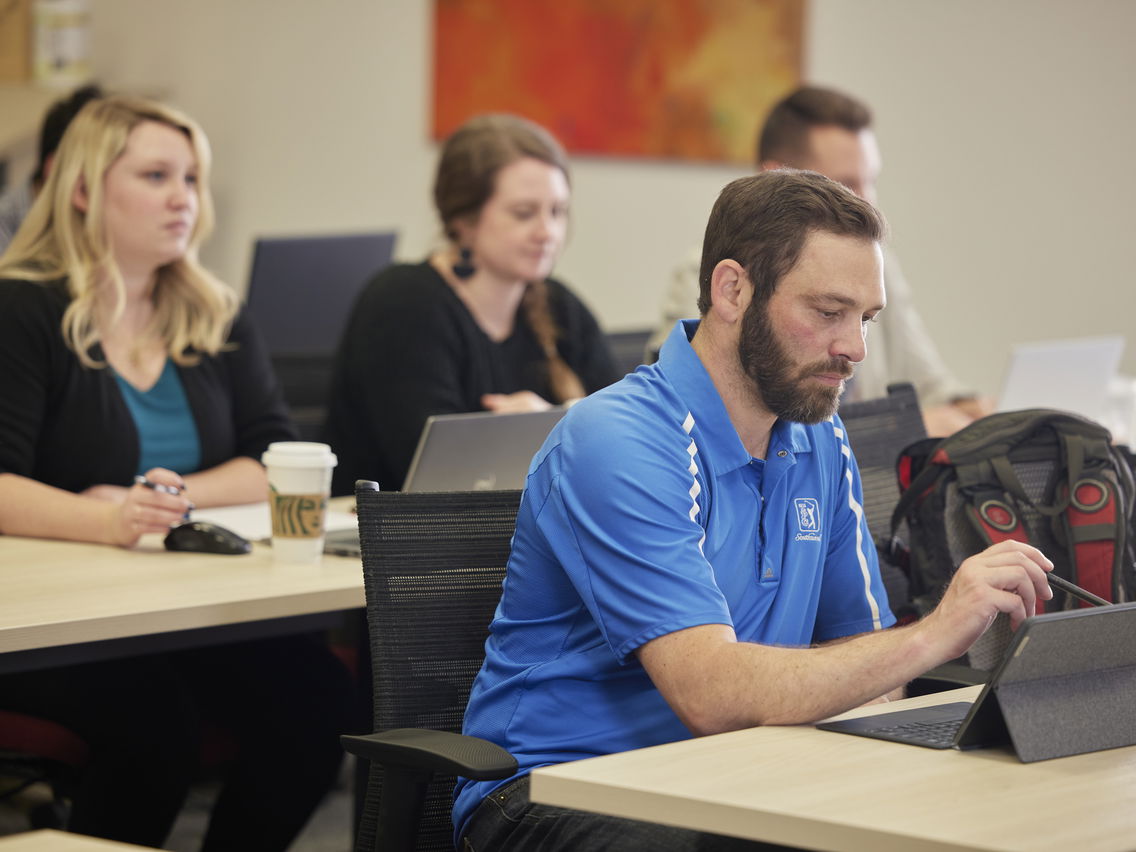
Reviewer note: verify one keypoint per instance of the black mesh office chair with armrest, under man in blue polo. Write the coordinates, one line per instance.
(433, 565)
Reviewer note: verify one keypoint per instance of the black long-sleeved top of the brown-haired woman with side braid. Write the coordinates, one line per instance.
(412, 349)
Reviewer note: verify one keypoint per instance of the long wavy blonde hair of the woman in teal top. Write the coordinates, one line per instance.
(194, 310)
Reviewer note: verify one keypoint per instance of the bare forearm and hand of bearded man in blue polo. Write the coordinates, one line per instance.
(715, 683)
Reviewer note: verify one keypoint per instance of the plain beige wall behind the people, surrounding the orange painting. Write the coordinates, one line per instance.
(1007, 129)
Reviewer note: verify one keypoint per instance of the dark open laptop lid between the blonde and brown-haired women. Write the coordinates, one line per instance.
(302, 289)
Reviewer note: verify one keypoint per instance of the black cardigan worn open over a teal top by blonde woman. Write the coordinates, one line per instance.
(69, 425)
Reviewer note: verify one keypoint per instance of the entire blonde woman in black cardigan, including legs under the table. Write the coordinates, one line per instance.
(121, 356)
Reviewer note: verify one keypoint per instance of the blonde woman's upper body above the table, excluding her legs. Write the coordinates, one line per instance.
(120, 355)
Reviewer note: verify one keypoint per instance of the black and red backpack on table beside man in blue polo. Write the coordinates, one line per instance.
(1047, 478)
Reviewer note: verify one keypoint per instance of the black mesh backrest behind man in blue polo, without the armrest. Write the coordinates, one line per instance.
(433, 566)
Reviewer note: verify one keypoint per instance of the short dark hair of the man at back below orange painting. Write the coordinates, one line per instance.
(786, 135)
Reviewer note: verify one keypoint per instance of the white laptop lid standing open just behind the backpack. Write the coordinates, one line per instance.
(1071, 375)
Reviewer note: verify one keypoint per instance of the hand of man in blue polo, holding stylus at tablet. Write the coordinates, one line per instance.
(1006, 578)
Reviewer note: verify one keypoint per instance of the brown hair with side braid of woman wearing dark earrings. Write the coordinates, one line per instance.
(466, 179)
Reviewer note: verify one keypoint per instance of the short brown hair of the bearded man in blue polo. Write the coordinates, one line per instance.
(763, 222)
